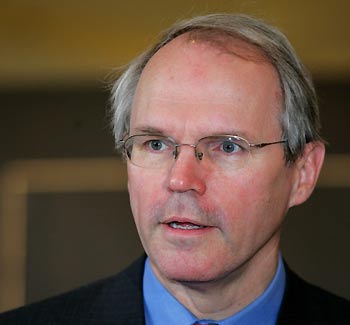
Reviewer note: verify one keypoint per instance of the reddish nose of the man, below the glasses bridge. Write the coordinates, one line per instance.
(186, 173)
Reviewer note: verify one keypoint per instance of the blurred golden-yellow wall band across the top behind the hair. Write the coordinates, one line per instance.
(79, 41)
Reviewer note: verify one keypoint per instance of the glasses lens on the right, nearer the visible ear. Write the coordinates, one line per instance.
(225, 151)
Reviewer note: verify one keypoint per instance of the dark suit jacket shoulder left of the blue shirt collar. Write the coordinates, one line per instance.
(103, 302)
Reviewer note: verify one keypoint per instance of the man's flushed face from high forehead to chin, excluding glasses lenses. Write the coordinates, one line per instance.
(187, 91)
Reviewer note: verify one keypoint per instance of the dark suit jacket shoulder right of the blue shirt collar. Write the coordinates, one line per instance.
(304, 303)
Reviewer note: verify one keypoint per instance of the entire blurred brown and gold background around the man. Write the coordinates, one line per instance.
(64, 211)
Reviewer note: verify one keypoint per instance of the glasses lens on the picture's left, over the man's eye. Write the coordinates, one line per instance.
(149, 151)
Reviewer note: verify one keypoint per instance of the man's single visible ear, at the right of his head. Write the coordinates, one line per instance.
(307, 169)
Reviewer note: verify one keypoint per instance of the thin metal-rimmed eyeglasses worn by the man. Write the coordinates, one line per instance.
(157, 151)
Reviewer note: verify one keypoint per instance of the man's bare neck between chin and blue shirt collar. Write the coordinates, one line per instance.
(223, 297)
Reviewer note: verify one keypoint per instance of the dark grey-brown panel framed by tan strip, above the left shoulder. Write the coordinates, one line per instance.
(75, 238)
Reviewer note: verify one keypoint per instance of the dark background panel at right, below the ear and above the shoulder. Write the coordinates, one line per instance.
(315, 239)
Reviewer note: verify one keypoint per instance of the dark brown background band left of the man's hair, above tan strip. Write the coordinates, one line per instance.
(55, 123)
